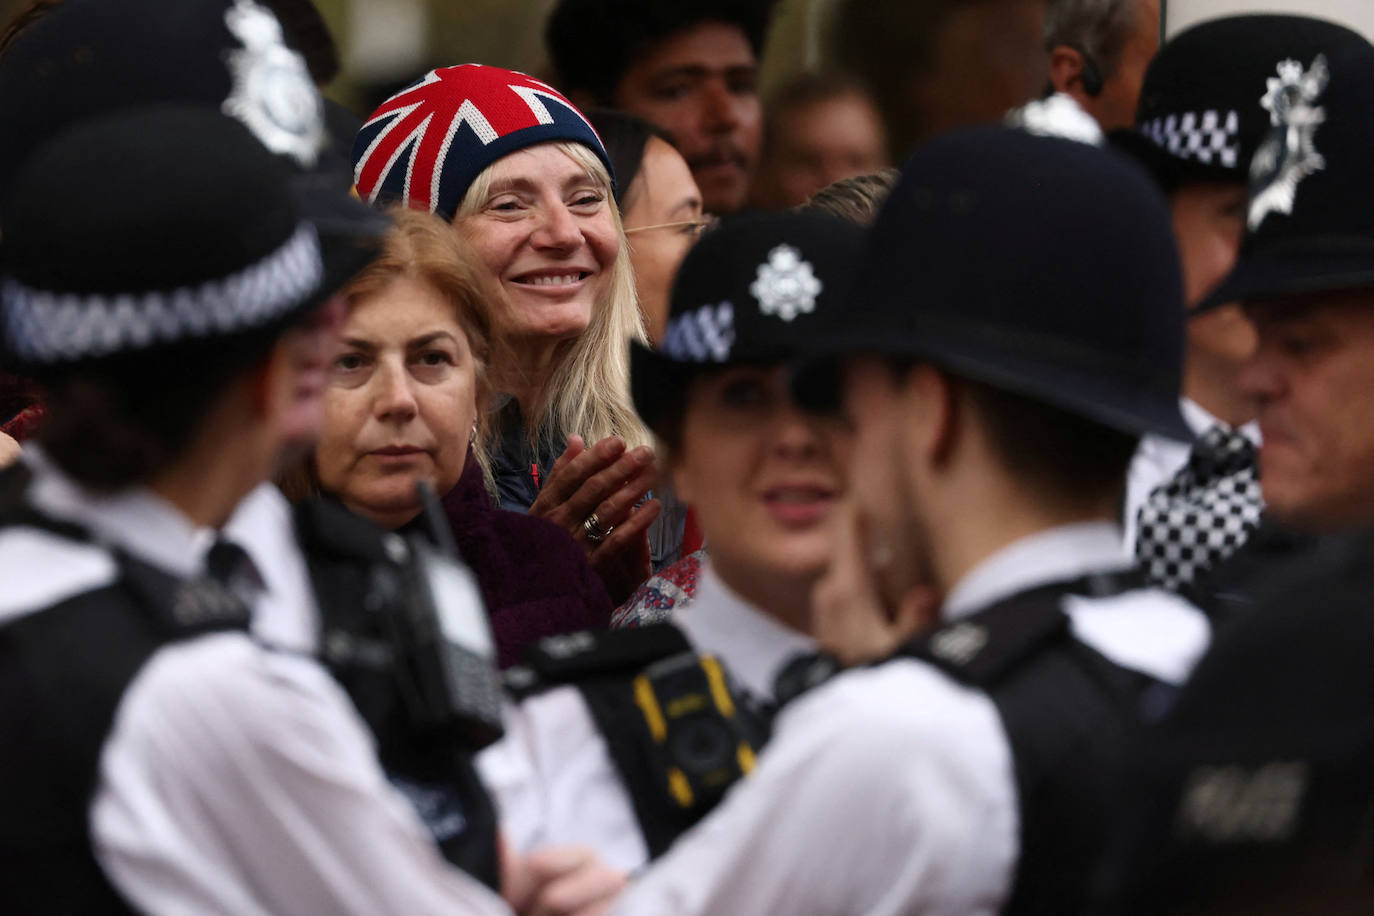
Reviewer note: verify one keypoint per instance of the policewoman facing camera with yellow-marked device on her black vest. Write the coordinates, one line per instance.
(626, 740)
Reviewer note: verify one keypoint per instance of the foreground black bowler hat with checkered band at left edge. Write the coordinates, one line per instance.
(194, 238)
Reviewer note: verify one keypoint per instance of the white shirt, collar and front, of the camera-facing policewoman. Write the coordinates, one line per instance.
(553, 777)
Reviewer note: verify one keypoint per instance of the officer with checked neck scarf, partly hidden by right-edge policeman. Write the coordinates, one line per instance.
(1191, 507)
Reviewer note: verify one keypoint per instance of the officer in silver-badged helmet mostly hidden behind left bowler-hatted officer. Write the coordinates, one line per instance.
(85, 58)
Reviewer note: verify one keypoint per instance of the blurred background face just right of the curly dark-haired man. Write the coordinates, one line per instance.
(818, 130)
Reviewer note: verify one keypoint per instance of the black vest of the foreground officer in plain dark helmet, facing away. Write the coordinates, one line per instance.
(1067, 712)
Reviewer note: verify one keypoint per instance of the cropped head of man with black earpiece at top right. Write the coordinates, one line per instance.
(1099, 53)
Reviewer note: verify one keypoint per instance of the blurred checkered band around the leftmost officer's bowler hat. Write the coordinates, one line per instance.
(54, 328)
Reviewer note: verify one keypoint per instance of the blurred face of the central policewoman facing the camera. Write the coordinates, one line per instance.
(763, 477)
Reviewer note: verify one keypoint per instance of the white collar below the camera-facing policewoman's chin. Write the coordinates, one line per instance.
(751, 643)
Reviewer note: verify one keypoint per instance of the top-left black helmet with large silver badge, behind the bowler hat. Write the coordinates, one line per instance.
(89, 58)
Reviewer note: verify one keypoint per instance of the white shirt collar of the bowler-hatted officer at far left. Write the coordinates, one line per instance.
(134, 518)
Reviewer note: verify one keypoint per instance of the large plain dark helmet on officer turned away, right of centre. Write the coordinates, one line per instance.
(1039, 266)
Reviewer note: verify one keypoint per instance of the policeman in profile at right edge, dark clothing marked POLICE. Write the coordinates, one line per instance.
(1257, 792)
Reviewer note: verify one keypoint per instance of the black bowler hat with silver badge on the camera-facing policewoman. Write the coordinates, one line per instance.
(761, 289)
